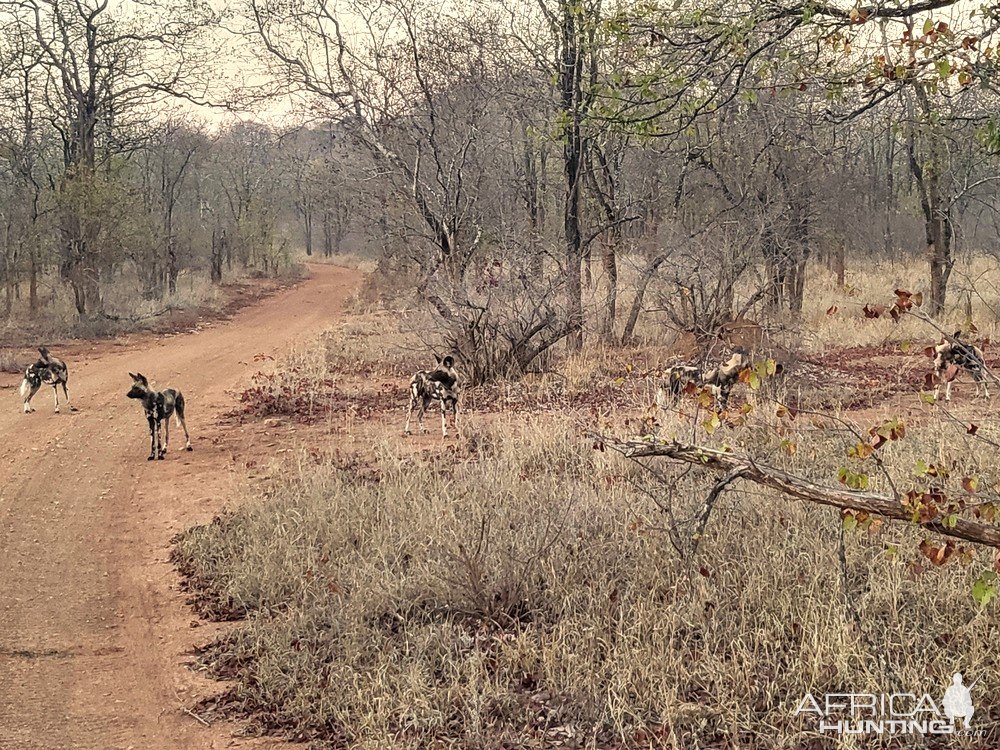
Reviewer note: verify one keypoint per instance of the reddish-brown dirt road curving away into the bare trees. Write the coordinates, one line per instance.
(93, 629)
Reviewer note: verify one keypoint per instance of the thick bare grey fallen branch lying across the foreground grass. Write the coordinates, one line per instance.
(744, 467)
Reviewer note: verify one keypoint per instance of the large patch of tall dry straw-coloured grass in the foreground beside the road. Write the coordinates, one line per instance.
(517, 594)
